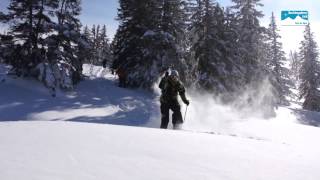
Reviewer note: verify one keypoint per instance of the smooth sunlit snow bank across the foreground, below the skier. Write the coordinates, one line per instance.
(82, 151)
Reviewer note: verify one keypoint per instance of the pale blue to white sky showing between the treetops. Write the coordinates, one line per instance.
(105, 11)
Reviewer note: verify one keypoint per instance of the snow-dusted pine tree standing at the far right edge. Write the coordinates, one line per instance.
(309, 72)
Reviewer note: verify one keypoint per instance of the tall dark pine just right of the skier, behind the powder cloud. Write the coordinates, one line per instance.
(206, 46)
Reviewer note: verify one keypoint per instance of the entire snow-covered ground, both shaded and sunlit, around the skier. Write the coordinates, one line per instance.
(42, 137)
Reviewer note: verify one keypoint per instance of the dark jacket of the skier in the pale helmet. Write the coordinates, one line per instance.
(170, 88)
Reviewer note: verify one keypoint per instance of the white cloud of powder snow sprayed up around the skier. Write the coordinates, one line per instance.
(207, 113)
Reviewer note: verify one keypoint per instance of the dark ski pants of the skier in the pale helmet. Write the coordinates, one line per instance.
(176, 116)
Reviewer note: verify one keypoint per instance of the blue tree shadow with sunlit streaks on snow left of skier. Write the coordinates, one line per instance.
(95, 101)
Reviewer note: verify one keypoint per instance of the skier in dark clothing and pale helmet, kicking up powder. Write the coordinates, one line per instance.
(170, 86)
